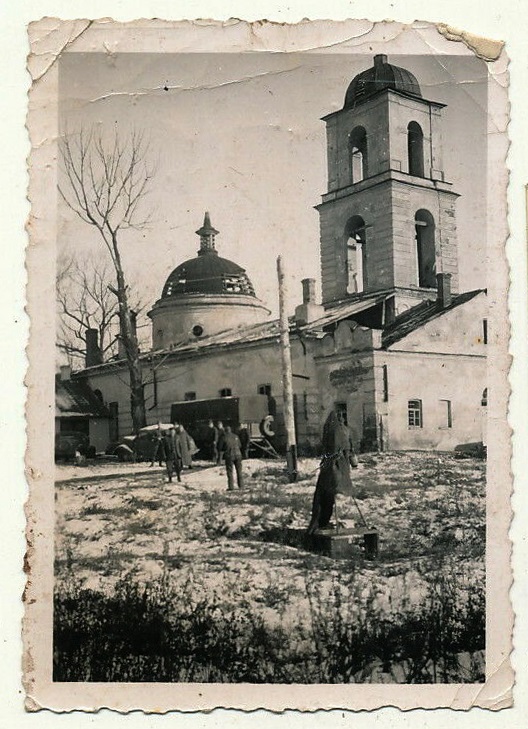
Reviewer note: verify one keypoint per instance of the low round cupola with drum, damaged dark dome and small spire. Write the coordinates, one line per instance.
(203, 296)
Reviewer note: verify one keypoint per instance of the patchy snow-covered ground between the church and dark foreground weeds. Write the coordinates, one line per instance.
(238, 547)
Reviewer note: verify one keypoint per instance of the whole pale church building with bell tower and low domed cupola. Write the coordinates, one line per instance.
(393, 344)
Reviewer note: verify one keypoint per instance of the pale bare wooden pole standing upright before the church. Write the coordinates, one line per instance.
(287, 379)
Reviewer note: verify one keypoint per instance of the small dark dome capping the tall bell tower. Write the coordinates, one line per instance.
(382, 75)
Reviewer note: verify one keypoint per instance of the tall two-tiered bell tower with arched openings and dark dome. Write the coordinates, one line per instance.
(387, 221)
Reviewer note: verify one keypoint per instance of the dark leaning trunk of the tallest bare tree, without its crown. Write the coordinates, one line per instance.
(130, 343)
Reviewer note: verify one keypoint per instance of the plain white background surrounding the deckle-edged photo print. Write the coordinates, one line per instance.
(507, 25)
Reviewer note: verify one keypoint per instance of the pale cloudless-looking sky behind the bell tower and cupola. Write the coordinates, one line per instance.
(240, 135)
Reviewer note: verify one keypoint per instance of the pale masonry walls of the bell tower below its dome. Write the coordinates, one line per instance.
(388, 198)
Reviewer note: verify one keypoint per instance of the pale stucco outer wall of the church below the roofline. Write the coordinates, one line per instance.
(442, 360)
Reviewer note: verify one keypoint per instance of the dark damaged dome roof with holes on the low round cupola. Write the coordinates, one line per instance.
(208, 274)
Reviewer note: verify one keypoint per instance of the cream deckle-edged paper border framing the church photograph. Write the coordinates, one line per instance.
(49, 39)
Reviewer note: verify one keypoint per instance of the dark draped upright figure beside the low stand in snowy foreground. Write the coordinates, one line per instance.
(334, 475)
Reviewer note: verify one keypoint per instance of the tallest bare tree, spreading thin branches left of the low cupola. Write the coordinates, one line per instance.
(105, 182)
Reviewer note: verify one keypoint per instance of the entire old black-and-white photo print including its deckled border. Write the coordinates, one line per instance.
(268, 450)
